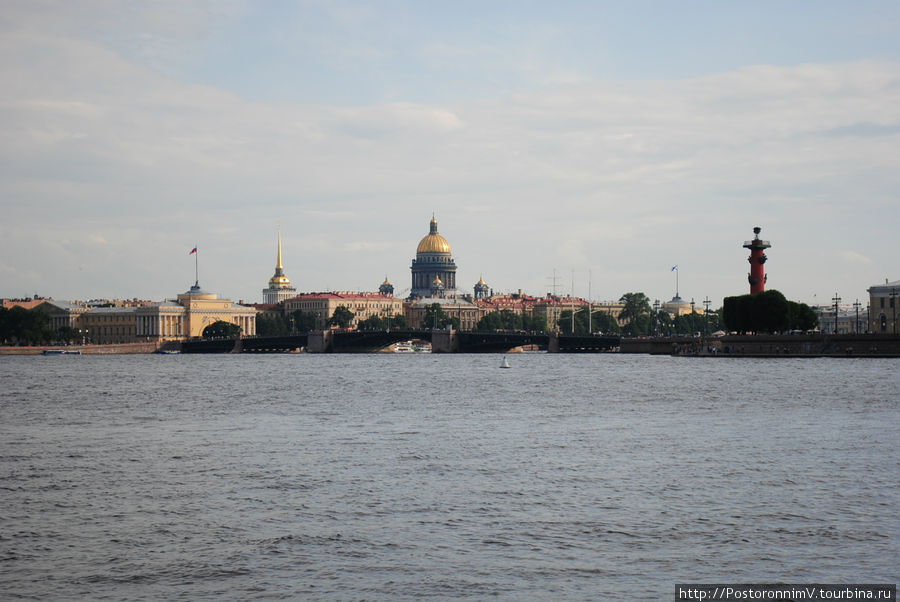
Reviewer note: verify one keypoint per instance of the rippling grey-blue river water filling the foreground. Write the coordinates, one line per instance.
(409, 476)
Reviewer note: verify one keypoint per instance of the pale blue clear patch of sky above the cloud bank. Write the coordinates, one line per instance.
(370, 52)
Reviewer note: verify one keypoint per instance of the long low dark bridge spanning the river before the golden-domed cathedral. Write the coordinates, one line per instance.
(442, 341)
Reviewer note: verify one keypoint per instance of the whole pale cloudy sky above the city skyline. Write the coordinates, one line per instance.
(603, 142)
